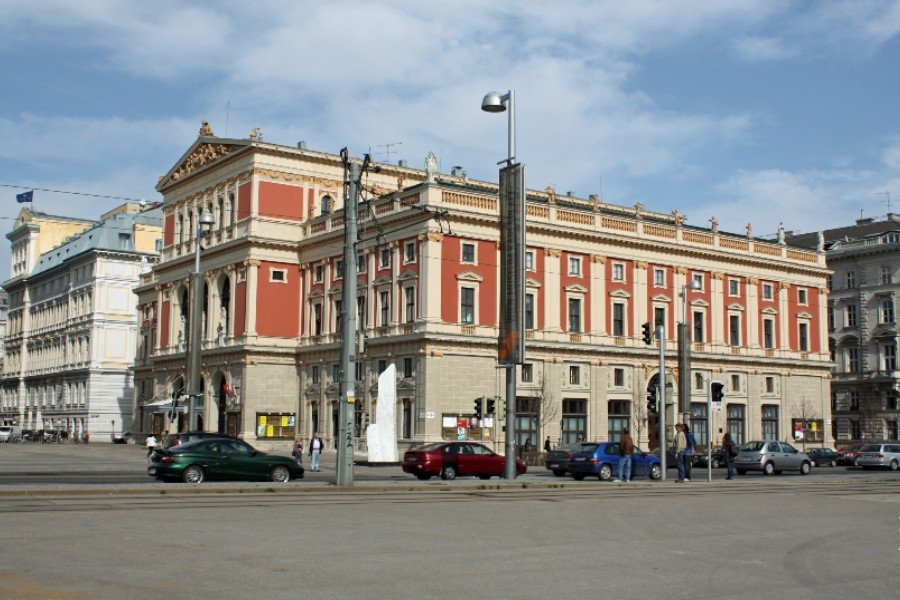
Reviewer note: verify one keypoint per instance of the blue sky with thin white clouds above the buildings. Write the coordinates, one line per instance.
(761, 112)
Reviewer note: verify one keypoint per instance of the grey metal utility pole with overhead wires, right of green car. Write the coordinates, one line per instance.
(347, 400)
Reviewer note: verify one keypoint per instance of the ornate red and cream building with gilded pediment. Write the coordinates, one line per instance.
(427, 301)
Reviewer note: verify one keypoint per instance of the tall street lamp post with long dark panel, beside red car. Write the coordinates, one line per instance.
(512, 237)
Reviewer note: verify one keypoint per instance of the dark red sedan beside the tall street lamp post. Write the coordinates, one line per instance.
(449, 459)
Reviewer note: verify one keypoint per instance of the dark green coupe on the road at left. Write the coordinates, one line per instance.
(221, 459)
